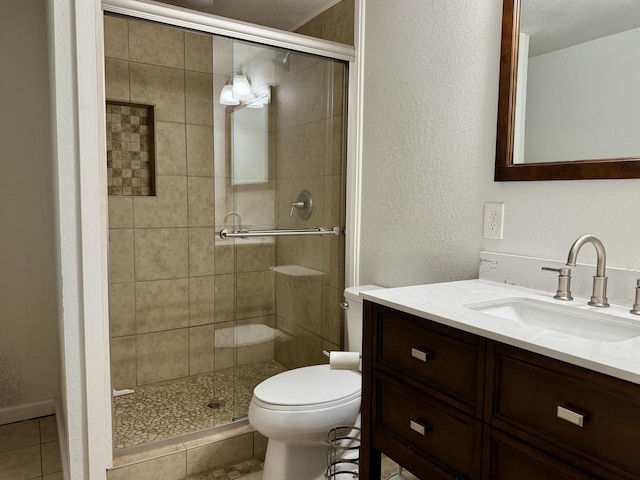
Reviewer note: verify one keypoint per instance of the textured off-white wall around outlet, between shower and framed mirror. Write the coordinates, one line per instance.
(430, 102)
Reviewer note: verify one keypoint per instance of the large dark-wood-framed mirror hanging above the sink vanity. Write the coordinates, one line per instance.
(531, 144)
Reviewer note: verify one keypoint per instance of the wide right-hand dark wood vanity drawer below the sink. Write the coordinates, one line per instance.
(582, 412)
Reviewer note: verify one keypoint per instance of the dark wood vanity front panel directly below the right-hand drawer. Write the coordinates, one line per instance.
(509, 459)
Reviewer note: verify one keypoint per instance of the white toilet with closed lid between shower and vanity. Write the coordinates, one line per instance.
(296, 409)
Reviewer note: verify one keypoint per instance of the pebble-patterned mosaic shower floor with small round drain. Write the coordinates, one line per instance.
(170, 409)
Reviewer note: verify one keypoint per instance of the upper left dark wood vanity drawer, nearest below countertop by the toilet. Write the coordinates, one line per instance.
(445, 359)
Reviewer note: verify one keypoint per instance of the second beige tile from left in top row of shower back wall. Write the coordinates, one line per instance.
(156, 44)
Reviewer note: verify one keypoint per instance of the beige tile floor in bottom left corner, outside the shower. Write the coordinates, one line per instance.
(29, 450)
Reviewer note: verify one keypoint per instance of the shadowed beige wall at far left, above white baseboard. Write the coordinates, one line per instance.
(28, 306)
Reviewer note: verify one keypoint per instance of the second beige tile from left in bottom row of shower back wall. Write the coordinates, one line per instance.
(162, 356)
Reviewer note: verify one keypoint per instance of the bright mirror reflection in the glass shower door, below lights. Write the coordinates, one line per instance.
(250, 144)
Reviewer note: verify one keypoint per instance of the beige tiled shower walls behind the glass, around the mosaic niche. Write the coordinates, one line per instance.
(171, 290)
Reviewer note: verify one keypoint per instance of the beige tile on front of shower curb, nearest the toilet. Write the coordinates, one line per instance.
(229, 451)
